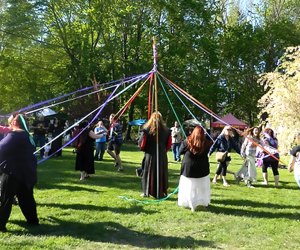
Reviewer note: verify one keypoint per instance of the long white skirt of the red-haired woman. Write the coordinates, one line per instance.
(194, 192)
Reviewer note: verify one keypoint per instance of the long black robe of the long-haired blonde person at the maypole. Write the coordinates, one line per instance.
(149, 180)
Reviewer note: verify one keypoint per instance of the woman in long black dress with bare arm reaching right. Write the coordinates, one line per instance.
(85, 151)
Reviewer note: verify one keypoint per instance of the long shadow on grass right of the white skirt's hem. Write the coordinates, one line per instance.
(241, 210)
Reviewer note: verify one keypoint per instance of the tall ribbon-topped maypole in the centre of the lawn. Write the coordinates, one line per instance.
(156, 110)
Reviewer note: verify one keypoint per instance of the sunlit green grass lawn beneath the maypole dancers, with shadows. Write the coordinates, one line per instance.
(90, 214)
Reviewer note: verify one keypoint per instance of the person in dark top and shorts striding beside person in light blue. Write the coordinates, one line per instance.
(115, 142)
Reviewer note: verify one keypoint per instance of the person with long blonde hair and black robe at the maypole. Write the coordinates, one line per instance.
(155, 137)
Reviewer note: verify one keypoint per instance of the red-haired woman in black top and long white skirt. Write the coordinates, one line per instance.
(194, 183)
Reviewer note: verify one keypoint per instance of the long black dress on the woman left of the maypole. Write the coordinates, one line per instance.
(85, 153)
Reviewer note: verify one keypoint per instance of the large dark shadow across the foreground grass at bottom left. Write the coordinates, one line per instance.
(109, 232)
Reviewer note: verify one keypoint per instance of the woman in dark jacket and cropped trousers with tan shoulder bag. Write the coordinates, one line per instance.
(224, 143)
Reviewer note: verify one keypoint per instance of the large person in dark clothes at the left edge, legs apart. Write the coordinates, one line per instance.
(18, 173)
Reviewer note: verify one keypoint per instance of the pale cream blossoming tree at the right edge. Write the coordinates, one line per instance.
(281, 101)
